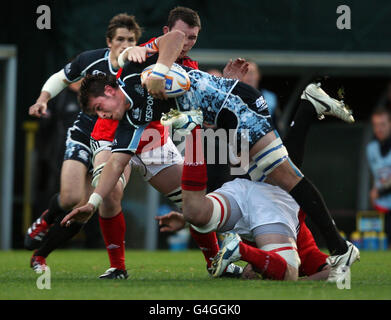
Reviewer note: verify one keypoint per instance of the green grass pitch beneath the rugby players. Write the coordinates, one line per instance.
(175, 276)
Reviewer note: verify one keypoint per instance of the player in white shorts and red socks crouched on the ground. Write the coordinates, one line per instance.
(257, 211)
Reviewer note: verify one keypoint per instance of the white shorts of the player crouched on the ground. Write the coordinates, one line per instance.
(261, 204)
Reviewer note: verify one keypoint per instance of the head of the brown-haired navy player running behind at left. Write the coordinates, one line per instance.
(123, 31)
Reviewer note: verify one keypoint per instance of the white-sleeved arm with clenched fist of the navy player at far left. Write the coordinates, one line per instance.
(53, 86)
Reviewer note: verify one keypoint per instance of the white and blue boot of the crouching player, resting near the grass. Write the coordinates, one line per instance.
(227, 254)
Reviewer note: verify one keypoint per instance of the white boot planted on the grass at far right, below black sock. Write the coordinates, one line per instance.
(339, 264)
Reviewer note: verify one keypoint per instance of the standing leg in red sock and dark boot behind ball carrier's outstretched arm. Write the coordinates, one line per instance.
(111, 219)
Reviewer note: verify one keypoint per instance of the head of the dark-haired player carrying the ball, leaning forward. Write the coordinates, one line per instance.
(99, 94)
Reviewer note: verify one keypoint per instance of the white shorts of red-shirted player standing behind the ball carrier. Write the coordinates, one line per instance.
(150, 163)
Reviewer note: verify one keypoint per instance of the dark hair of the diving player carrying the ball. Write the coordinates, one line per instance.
(94, 86)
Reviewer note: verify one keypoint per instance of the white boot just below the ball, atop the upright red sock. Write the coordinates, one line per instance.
(182, 121)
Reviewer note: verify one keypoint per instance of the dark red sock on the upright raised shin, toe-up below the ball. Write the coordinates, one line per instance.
(194, 175)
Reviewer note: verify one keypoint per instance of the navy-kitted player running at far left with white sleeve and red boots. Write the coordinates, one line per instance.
(122, 32)
